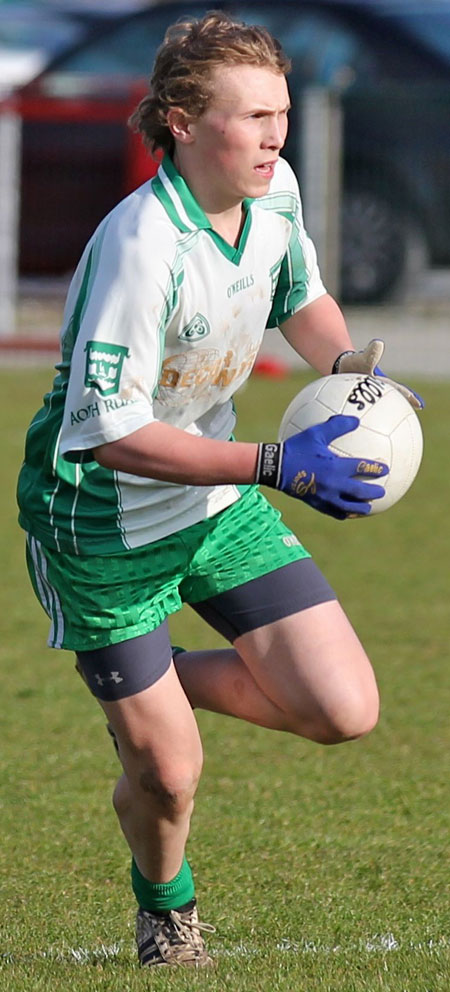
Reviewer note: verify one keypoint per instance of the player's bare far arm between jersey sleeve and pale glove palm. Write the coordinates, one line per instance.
(318, 333)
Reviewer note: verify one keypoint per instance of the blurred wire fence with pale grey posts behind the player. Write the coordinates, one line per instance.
(374, 168)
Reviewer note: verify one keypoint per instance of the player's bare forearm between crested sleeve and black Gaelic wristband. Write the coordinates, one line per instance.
(160, 451)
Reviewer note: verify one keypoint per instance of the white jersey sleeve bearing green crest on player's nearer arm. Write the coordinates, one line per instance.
(116, 317)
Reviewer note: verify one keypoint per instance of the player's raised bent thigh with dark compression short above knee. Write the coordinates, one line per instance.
(300, 649)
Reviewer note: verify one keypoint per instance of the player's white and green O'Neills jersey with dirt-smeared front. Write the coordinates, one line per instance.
(163, 321)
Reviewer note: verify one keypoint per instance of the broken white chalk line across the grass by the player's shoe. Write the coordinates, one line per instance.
(378, 944)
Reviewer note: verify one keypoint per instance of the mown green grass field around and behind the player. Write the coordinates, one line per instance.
(323, 869)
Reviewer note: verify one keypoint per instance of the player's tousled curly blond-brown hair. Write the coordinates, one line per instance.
(182, 72)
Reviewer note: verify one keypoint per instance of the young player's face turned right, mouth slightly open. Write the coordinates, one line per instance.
(238, 139)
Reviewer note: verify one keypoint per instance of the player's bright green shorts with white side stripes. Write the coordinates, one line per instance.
(95, 601)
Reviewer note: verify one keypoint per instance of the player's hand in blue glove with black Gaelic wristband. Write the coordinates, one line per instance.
(304, 467)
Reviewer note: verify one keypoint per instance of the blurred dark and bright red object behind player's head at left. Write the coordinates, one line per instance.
(79, 159)
